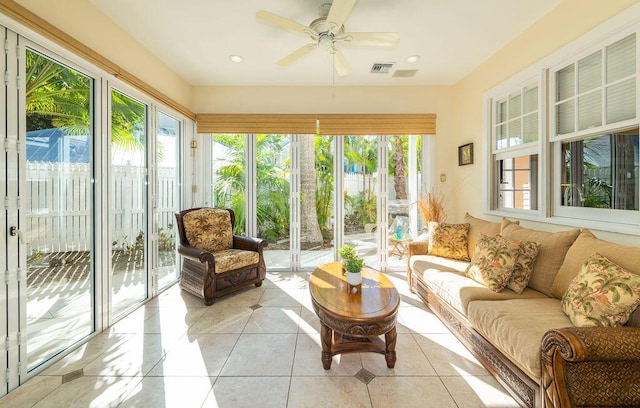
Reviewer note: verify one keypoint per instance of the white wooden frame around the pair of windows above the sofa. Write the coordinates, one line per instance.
(620, 221)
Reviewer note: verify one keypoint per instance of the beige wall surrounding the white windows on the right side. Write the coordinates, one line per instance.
(465, 186)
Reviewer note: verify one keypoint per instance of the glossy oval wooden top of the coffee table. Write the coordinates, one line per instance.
(378, 297)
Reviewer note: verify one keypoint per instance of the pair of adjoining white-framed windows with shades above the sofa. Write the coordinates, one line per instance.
(593, 145)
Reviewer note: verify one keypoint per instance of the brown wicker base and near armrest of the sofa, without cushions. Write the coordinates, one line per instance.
(581, 367)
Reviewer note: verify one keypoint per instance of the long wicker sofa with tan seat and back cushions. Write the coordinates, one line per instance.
(526, 340)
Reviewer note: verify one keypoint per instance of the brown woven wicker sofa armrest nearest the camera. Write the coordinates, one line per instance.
(591, 366)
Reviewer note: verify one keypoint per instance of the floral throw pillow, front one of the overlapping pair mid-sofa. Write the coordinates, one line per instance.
(493, 261)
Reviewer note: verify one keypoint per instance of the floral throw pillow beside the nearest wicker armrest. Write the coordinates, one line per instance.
(603, 294)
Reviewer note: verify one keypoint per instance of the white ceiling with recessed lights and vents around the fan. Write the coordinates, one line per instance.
(196, 37)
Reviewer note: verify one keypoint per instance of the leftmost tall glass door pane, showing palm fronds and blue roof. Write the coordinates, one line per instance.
(58, 199)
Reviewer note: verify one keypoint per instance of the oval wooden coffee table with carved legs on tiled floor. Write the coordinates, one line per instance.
(353, 322)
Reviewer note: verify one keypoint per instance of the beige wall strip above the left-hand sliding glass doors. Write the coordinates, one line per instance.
(84, 22)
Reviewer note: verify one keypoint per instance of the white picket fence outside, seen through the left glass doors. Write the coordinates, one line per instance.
(59, 205)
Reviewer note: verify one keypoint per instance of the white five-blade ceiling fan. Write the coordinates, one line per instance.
(327, 32)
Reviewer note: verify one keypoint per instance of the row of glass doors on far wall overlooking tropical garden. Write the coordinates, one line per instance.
(314, 193)
